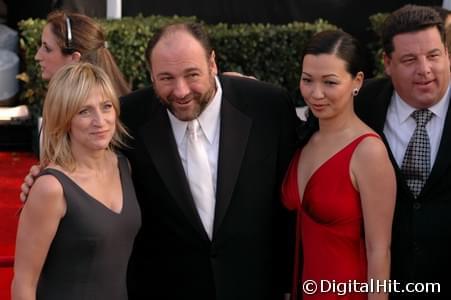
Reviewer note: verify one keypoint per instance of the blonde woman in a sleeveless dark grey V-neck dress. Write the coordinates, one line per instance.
(77, 228)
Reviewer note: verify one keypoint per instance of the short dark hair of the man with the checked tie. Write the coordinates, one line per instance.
(410, 18)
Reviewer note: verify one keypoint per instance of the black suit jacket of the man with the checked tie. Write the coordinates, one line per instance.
(421, 240)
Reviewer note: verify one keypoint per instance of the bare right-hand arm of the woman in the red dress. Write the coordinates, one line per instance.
(375, 179)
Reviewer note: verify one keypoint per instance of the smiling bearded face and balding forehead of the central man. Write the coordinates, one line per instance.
(183, 77)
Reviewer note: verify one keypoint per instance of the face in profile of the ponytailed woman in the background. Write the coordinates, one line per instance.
(49, 55)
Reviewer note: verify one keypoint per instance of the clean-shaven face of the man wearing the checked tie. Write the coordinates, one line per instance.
(419, 67)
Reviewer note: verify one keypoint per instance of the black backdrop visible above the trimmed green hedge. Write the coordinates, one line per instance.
(350, 15)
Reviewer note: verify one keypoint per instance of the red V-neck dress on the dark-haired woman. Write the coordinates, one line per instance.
(329, 227)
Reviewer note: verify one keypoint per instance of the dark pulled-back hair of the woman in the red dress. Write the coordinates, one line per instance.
(344, 46)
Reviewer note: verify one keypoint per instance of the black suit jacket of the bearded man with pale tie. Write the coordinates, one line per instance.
(250, 252)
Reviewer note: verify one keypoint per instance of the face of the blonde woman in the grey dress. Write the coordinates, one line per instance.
(93, 126)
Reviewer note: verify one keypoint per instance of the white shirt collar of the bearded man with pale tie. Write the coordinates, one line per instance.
(208, 119)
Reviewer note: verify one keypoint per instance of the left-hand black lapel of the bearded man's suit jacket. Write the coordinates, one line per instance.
(162, 148)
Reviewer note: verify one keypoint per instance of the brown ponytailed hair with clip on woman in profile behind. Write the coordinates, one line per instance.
(77, 32)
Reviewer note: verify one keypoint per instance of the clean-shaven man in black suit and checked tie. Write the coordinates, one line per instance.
(416, 60)
